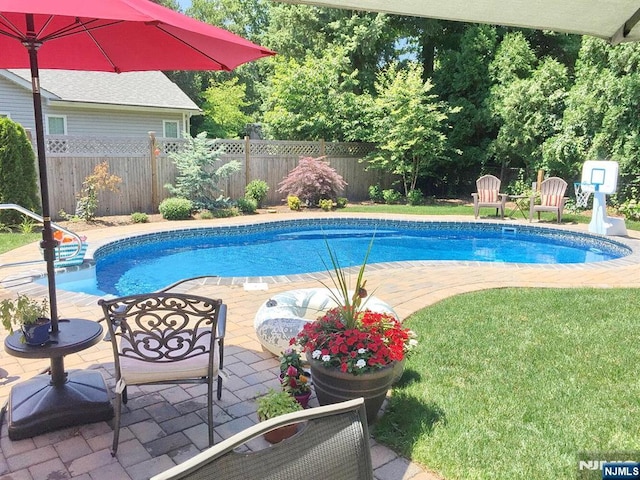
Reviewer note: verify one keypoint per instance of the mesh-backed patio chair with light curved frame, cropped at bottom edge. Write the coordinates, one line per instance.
(332, 442)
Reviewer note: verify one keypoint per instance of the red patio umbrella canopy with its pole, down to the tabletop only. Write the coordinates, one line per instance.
(106, 35)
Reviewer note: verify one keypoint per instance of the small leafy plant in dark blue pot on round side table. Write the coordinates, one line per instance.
(30, 315)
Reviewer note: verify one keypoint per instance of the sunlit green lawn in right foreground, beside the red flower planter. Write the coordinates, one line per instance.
(514, 383)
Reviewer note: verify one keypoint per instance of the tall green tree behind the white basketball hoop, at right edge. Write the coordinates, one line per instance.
(601, 118)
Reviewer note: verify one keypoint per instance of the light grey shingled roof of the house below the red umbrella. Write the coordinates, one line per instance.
(145, 89)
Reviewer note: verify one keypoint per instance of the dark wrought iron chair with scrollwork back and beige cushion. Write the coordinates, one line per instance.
(161, 338)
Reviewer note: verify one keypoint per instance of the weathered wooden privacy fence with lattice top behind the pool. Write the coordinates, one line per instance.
(144, 166)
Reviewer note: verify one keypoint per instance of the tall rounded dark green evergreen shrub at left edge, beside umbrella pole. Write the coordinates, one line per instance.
(17, 171)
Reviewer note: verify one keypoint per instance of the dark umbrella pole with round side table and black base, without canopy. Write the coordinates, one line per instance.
(58, 399)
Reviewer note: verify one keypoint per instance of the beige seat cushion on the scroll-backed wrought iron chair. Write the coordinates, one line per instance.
(135, 372)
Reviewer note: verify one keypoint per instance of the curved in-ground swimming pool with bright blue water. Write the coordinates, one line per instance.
(151, 262)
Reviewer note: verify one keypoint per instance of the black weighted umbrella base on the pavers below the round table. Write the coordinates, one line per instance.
(36, 406)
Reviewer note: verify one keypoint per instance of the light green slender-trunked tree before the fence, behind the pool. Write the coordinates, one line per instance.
(408, 126)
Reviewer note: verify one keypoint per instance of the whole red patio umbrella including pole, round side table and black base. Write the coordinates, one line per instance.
(97, 35)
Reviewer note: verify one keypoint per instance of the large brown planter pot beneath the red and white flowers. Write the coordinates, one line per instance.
(333, 386)
